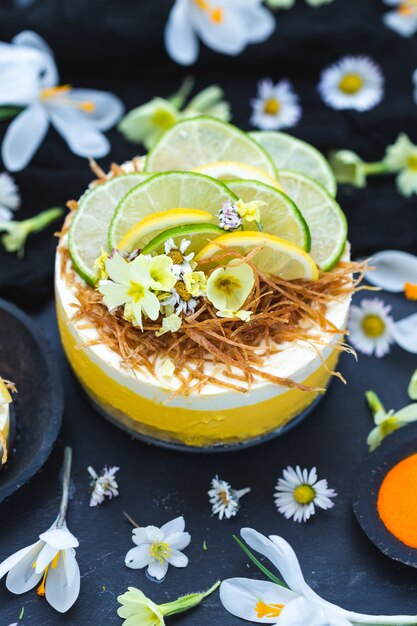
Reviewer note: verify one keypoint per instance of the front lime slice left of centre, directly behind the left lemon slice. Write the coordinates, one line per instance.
(168, 190)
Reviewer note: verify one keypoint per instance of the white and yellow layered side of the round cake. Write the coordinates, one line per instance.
(140, 401)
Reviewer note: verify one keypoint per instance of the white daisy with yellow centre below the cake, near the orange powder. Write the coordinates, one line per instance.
(299, 492)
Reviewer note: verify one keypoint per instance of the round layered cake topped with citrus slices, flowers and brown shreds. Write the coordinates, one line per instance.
(197, 312)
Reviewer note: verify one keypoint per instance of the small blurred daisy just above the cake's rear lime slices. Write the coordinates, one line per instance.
(276, 106)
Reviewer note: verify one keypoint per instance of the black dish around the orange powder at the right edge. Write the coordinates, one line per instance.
(372, 471)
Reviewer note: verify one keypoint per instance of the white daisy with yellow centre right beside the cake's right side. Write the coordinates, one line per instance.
(371, 327)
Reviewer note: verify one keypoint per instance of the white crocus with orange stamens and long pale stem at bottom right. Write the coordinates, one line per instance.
(270, 603)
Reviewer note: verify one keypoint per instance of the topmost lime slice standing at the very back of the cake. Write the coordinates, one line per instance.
(200, 140)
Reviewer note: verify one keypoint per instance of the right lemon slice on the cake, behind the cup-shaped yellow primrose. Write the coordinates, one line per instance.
(277, 256)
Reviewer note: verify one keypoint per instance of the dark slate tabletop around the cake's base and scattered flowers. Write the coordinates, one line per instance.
(157, 485)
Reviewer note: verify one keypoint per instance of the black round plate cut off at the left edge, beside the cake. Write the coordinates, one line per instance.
(26, 359)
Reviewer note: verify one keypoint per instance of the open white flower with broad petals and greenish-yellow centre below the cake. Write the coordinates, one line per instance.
(157, 548)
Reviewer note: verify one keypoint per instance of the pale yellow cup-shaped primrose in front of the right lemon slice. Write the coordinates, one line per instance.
(228, 288)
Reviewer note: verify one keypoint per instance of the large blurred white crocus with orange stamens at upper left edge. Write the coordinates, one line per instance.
(29, 78)
